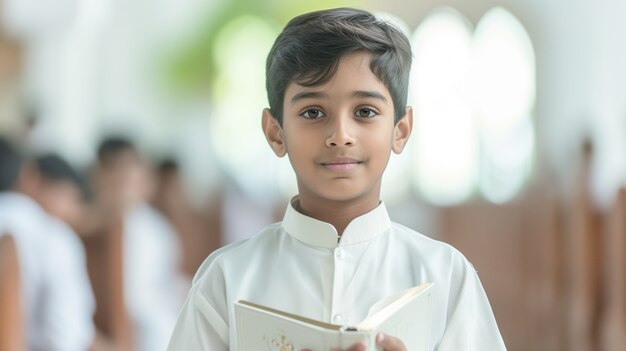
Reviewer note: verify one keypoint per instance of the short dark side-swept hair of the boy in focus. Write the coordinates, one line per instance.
(310, 46)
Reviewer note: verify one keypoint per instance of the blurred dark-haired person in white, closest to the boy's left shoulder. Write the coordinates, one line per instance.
(153, 281)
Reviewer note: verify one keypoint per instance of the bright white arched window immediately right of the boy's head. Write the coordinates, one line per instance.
(446, 159)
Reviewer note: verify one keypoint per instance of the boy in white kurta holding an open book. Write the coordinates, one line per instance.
(337, 87)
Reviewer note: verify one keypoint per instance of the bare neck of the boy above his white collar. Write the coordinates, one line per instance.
(338, 213)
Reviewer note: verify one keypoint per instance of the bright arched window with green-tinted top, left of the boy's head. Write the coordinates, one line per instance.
(240, 97)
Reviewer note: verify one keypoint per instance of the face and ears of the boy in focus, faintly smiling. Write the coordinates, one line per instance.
(339, 135)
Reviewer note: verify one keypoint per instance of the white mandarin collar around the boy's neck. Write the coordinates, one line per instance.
(317, 233)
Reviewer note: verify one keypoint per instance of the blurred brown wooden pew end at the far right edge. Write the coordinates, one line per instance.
(612, 324)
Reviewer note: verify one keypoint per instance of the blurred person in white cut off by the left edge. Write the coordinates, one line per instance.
(57, 301)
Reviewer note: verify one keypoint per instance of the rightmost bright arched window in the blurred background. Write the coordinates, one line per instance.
(504, 81)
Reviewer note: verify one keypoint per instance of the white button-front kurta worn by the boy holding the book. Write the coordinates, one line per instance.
(301, 266)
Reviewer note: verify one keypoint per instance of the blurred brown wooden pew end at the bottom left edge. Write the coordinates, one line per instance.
(11, 322)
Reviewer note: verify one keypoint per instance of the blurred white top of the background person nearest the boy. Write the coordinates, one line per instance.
(155, 286)
